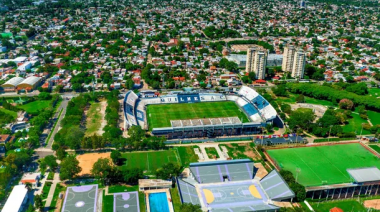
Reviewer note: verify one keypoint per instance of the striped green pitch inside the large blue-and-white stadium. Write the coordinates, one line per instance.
(161, 115)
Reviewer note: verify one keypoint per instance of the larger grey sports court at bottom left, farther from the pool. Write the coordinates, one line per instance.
(80, 199)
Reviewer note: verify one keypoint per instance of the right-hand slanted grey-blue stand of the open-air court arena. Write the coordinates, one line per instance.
(276, 187)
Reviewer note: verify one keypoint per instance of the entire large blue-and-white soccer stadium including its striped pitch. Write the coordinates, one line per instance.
(190, 115)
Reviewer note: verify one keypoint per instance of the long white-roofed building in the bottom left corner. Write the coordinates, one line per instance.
(17, 200)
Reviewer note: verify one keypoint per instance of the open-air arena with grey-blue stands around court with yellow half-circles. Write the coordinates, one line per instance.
(231, 186)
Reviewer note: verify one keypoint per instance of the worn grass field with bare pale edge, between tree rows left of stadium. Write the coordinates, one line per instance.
(95, 118)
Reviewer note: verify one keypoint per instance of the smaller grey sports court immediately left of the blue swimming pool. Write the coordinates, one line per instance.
(126, 202)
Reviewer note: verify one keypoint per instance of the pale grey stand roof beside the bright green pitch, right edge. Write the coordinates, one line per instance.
(362, 175)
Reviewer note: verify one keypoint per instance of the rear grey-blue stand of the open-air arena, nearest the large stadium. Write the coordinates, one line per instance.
(218, 171)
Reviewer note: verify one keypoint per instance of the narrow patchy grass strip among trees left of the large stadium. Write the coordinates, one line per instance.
(94, 119)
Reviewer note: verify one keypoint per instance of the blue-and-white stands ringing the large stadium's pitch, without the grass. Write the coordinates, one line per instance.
(257, 109)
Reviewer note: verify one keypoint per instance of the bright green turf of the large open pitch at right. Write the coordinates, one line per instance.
(324, 164)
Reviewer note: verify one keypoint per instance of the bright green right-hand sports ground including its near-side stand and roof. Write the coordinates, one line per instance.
(331, 171)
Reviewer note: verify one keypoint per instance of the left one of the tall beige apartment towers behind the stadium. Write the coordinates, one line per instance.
(256, 61)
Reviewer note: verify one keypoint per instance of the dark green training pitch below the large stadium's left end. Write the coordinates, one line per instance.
(149, 161)
